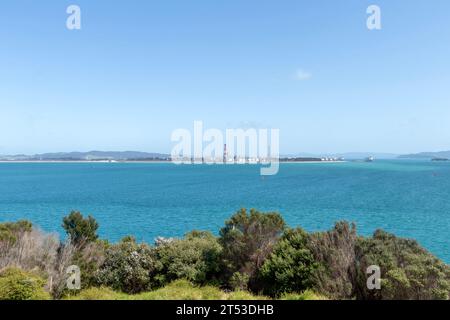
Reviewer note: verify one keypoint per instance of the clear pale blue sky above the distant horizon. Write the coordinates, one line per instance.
(138, 70)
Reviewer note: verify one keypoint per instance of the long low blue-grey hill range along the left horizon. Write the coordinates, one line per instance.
(91, 155)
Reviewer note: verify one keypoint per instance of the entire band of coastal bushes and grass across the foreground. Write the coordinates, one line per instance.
(255, 256)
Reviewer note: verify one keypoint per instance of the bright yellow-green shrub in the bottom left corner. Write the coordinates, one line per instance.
(16, 284)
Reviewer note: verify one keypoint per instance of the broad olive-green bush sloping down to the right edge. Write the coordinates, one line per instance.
(407, 270)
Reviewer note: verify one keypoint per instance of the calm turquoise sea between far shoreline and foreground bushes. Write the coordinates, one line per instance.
(408, 198)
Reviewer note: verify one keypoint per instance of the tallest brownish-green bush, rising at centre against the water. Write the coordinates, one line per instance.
(247, 239)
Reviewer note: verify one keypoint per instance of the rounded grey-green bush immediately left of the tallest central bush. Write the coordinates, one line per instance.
(195, 258)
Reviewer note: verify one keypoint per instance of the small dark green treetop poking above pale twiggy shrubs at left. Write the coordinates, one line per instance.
(80, 230)
